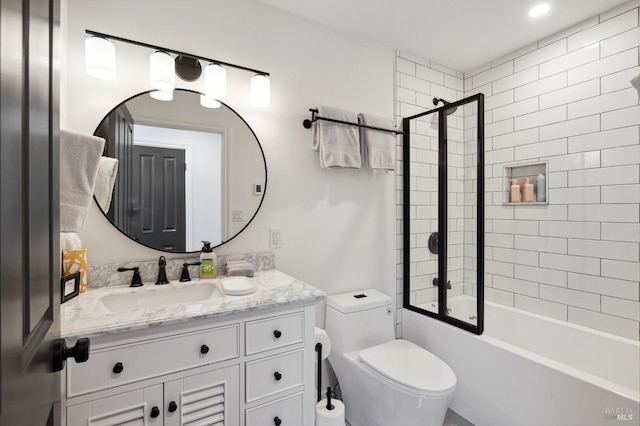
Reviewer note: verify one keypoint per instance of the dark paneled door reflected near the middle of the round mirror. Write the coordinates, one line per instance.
(159, 197)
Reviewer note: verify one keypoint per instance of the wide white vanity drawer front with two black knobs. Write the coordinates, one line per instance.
(126, 364)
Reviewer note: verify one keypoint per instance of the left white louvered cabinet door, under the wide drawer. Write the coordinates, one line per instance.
(142, 407)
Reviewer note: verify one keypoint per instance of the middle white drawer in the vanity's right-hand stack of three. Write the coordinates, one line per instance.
(269, 376)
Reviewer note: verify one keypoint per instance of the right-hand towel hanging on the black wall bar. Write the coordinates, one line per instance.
(378, 146)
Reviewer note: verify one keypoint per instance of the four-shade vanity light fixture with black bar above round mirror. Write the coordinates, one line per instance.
(163, 68)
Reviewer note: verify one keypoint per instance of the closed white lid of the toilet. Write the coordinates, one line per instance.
(410, 366)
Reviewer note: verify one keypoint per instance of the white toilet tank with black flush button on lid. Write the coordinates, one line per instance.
(358, 320)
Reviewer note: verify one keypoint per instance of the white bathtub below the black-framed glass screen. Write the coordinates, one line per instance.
(531, 370)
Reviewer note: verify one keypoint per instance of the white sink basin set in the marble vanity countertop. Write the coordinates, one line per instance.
(161, 296)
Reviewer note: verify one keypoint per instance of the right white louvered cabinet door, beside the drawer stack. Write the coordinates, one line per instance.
(211, 398)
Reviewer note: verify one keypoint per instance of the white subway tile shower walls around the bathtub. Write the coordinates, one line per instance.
(566, 100)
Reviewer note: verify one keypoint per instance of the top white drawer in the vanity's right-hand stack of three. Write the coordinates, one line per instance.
(275, 332)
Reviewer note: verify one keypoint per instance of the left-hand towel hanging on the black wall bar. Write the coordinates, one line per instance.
(338, 144)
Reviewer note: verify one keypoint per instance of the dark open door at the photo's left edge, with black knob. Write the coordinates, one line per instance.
(29, 212)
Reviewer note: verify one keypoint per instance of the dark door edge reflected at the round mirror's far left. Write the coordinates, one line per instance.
(117, 130)
